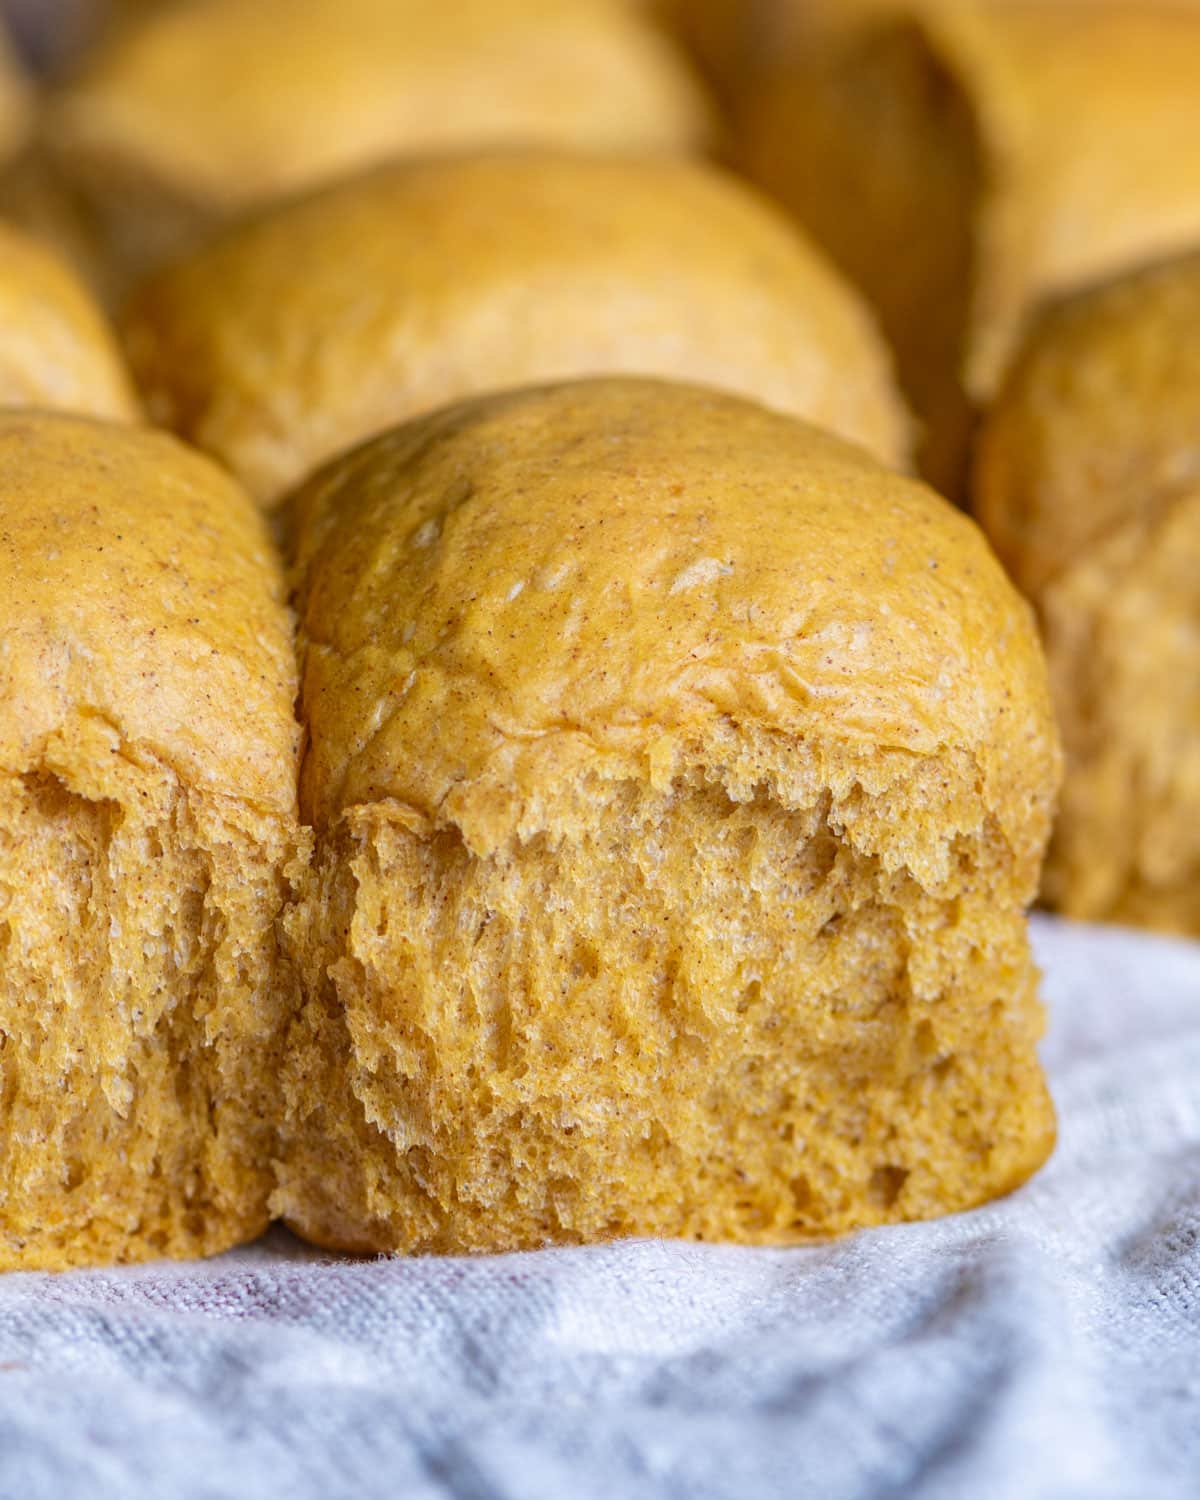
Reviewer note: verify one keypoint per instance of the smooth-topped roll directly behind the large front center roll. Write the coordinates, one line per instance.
(332, 319)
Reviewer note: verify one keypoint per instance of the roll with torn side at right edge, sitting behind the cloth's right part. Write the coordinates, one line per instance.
(1088, 481)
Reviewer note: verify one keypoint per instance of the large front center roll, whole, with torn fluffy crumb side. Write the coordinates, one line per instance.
(679, 779)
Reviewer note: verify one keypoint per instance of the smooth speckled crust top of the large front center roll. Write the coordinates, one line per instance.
(607, 572)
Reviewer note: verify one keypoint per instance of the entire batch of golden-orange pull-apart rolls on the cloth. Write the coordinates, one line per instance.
(496, 746)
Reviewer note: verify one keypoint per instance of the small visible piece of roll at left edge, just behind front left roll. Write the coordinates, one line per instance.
(56, 349)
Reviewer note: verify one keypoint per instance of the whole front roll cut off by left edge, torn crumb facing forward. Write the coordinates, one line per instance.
(148, 832)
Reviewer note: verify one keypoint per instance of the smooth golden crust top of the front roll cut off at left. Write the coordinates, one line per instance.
(142, 613)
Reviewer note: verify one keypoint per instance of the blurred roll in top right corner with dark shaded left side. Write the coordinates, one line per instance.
(964, 161)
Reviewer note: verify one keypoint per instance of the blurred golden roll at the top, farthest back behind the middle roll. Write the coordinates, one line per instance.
(215, 106)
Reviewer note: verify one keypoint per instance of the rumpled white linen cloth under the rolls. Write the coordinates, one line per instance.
(1048, 1346)
